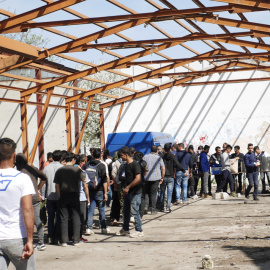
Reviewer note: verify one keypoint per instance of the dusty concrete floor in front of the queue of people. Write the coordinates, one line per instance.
(235, 232)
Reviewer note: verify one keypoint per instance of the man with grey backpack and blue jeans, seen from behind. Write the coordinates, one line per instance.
(98, 196)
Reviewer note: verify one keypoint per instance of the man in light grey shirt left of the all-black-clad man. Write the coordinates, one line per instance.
(53, 199)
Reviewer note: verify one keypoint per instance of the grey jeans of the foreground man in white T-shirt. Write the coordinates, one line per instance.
(11, 251)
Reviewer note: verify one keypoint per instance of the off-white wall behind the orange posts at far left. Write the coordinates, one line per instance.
(54, 126)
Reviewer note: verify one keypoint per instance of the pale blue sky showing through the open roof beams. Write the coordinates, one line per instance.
(100, 8)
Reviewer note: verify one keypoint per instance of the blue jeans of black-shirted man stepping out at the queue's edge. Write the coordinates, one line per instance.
(132, 204)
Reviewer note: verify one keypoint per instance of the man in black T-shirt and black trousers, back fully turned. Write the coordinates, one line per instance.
(68, 180)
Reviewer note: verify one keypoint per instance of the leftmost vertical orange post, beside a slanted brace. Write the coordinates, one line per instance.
(24, 126)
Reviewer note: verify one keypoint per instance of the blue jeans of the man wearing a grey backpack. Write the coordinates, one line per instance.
(97, 199)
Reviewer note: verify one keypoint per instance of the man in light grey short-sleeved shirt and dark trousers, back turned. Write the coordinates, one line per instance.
(154, 177)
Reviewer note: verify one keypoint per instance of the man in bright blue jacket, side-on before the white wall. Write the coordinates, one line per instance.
(204, 170)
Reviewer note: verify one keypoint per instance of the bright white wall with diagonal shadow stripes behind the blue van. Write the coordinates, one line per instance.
(206, 114)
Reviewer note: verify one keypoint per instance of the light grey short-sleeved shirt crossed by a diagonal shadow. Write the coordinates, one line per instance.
(154, 164)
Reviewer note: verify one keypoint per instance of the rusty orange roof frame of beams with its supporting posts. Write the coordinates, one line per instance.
(16, 55)
